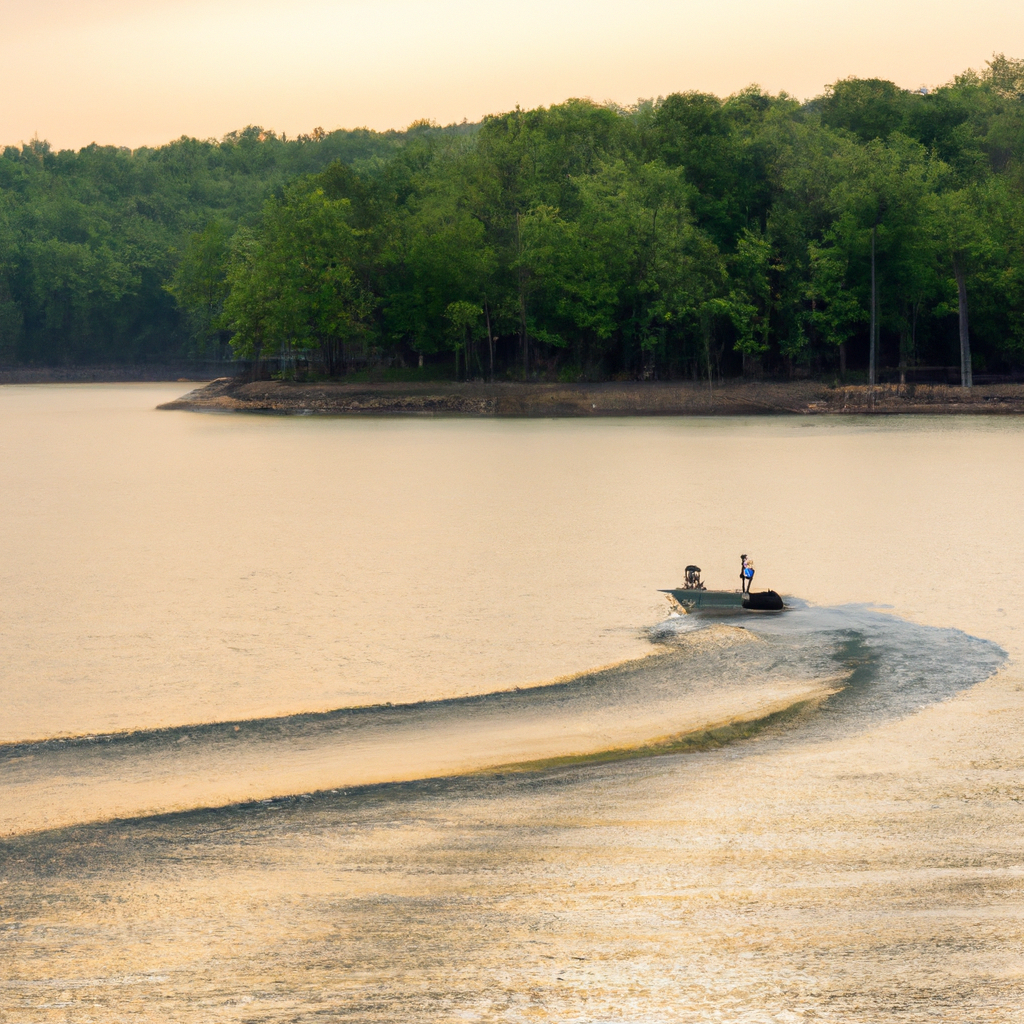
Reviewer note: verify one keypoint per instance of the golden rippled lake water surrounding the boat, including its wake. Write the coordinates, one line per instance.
(270, 685)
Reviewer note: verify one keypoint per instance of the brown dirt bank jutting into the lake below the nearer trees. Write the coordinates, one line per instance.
(617, 399)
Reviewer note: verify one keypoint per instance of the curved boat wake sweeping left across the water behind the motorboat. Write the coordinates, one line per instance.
(825, 671)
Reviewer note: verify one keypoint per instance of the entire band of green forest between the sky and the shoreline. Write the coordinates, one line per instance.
(688, 236)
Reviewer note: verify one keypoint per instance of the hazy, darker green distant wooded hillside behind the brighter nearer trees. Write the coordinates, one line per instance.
(112, 254)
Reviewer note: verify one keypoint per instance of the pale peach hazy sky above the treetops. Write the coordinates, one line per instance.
(143, 72)
